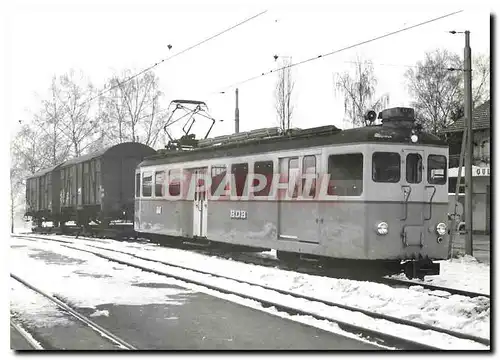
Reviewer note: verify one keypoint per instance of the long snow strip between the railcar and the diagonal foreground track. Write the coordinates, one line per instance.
(456, 312)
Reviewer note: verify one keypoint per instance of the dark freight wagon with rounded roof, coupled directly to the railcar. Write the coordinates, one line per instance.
(99, 187)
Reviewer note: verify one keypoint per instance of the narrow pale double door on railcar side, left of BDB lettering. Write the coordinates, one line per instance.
(200, 204)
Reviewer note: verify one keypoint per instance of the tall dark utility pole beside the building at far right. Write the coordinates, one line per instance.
(469, 144)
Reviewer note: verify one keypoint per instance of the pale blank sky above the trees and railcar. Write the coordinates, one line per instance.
(43, 39)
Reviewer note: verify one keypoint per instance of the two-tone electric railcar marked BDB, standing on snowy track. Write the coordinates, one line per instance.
(372, 195)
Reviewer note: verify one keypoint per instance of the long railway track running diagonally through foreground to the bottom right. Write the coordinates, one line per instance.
(378, 337)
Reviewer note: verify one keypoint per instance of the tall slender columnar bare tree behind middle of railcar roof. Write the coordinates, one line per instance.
(283, 95)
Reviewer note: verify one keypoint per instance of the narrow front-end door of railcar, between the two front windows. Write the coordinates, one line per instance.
(414, 196)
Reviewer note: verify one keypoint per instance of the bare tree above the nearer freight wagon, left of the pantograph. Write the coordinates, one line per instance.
(133, 107)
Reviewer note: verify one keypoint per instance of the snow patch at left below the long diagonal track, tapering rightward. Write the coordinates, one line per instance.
(88, 281)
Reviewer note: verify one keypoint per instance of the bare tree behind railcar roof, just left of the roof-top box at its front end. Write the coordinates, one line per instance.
(359, 91)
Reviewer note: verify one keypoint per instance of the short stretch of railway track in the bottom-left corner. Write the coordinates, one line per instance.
(122, 344)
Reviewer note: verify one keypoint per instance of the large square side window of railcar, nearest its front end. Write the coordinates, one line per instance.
(346, 174)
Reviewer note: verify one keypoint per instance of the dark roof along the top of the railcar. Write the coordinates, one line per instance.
(335, 136)
